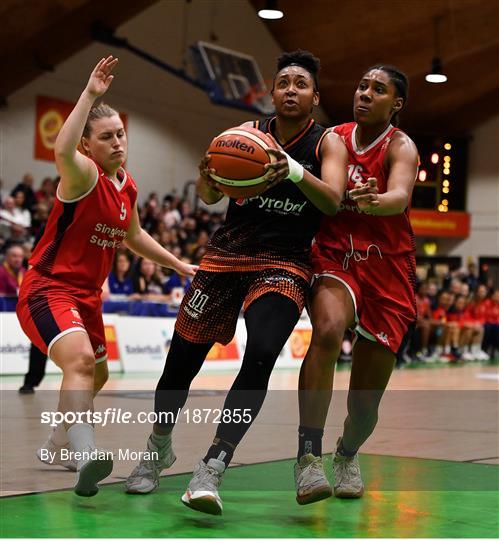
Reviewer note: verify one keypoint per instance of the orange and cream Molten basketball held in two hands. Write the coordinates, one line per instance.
(238, 156)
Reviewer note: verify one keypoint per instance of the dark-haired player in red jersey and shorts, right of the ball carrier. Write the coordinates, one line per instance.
(364, 269)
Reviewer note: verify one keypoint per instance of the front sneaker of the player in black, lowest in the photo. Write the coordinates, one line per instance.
(202, 491)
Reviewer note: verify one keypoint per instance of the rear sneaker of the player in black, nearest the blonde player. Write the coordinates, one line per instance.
(145, 477)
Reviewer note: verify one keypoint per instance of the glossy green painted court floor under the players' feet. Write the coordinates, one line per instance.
(405, 498)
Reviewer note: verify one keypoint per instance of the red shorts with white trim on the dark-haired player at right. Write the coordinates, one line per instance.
(381, 287)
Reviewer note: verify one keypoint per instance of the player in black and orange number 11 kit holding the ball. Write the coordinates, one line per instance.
(259, 261)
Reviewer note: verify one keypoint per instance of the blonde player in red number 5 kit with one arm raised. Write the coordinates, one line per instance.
(59, 304)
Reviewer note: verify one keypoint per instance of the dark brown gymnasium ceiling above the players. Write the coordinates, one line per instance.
(348, 36)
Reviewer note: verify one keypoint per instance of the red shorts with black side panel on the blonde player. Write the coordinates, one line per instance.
(49, 309)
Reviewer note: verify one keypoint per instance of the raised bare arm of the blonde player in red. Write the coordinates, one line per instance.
(77, 171)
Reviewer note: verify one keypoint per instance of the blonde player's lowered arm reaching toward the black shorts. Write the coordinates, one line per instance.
(141, 243)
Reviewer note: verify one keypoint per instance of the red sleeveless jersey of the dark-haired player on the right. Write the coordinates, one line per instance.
(350, 229)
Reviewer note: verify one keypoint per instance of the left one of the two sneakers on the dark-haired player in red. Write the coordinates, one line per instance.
(310, 480)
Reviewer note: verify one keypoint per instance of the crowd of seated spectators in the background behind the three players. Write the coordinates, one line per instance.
(458, 316)
